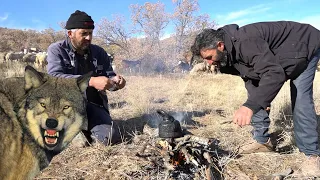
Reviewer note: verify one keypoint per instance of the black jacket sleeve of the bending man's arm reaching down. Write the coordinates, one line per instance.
(272, 75)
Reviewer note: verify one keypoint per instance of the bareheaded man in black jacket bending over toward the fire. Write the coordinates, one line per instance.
(265, 55)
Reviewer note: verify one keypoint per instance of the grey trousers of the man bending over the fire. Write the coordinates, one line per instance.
(304, 116)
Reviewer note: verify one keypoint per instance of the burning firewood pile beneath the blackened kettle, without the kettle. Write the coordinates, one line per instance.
(189, 155)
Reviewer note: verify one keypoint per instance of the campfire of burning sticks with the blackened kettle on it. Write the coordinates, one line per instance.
(182, 156)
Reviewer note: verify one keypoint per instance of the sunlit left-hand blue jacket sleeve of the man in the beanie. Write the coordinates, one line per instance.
(56, 66)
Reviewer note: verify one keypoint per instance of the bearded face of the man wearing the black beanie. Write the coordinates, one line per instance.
(81, 38)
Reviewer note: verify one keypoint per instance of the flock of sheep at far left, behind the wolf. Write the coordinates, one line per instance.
(39, 59)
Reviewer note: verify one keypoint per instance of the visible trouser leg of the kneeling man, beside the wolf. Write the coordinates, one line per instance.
(101, 125)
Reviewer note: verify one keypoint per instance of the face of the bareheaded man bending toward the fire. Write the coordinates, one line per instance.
(214, 56)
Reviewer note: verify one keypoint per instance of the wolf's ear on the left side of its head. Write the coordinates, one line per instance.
(33, 78)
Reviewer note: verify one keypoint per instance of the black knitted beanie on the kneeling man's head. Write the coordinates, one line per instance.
(79, 20)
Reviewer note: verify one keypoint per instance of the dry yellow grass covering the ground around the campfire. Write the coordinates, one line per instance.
(211, 100)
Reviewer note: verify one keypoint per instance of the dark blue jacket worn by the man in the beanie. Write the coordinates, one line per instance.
(63, 61)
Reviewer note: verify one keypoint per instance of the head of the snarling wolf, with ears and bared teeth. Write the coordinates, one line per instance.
(53, 110)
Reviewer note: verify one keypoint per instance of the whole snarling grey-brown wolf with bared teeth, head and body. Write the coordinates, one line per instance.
(39, 116)
